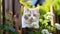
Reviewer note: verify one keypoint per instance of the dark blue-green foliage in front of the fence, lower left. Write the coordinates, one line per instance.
(8, 27)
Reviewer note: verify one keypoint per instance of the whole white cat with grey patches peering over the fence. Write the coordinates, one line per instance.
(30, 18)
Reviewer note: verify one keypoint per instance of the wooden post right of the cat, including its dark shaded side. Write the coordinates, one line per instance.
(54, 19)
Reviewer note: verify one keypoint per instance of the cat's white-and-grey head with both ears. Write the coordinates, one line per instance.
(31, 14)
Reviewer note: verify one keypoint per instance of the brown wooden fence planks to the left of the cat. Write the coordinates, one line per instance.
(12, 6)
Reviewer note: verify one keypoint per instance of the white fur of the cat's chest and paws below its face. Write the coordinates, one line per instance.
(34, 24)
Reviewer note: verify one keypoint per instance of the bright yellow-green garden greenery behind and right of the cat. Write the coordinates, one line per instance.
(45, 8)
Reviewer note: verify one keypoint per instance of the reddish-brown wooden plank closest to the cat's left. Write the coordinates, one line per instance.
(18, 16)
